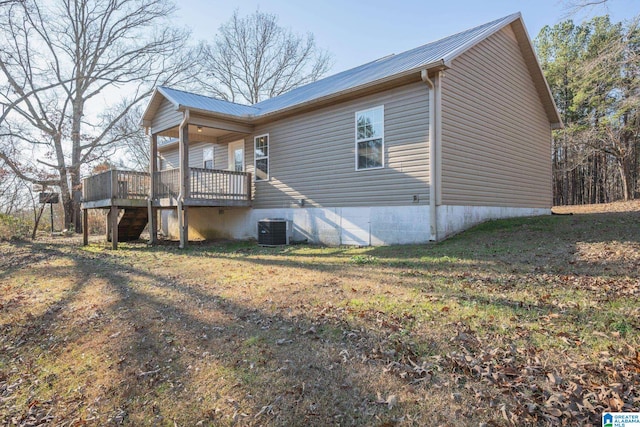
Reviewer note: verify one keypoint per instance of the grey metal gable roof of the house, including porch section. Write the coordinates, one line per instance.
(437, 54)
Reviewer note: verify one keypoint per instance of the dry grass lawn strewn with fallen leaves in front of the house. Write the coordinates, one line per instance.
(530, 321)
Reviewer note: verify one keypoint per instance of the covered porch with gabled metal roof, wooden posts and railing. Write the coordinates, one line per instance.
(188, 120)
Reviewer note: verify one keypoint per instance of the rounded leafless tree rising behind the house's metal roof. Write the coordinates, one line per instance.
(253, 59)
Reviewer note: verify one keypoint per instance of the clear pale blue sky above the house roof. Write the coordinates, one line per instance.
(356, 32)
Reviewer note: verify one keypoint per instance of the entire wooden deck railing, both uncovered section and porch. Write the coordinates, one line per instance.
(205, 184)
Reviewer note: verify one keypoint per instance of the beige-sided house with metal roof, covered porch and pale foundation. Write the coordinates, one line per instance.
(411, 148)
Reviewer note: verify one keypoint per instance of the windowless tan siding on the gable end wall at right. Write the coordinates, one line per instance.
(496, 137)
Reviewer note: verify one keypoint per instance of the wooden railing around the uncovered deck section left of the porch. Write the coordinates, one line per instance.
(116, 184)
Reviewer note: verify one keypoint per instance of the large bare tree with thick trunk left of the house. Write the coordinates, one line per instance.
(71, 71)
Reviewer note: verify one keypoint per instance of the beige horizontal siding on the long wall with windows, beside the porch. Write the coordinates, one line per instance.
(312, 156)
